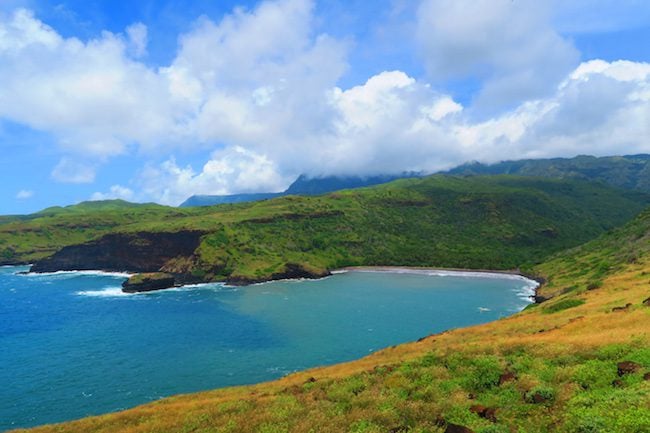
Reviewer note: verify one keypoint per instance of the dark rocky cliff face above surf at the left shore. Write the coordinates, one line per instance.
(130, 252)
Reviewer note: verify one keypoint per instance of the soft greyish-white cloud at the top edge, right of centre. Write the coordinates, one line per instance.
(510, 45)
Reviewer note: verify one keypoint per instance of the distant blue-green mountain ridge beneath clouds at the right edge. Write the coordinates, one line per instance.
(629, 172)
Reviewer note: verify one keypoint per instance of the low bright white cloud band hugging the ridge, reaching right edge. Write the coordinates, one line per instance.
(393, 124)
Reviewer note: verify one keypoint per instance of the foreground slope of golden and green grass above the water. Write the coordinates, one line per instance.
(577, 363)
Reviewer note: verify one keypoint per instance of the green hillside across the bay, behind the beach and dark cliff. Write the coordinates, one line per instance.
(496, 222)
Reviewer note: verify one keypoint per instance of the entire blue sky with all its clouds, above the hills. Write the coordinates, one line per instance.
(157, 100)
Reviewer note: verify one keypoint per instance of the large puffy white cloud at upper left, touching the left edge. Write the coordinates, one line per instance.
(90, 95)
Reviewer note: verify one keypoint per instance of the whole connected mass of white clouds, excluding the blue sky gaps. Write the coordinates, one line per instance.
(260, 90)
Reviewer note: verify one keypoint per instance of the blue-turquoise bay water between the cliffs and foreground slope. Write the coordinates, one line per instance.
(72, 345)
